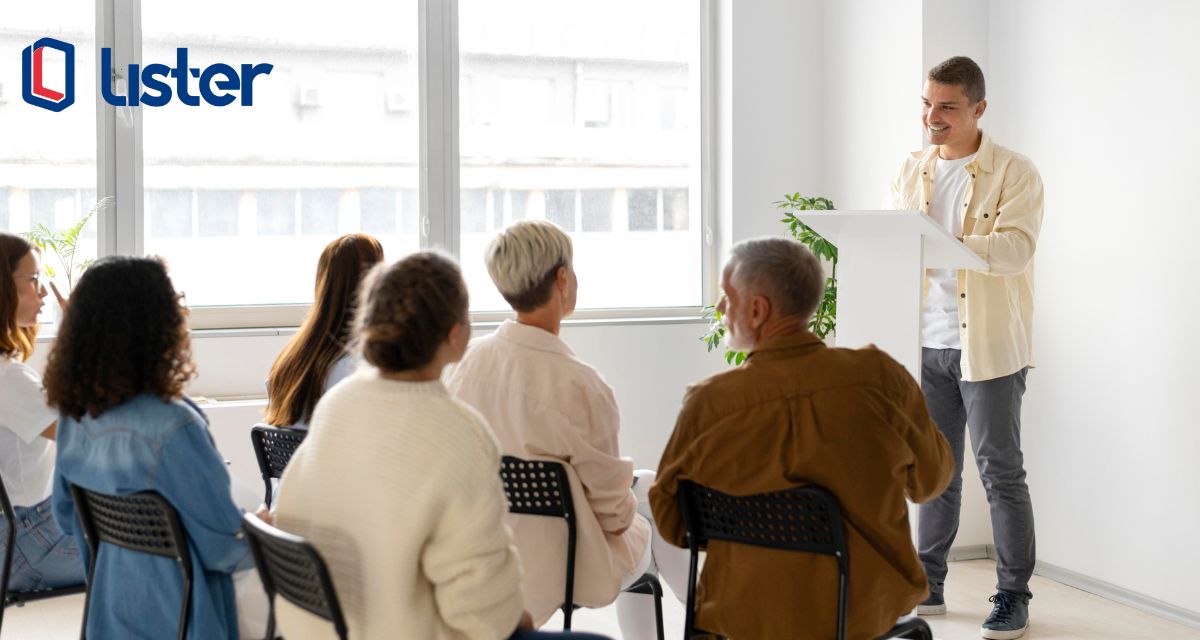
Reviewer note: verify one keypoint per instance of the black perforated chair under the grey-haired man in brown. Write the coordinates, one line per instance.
(806, 519)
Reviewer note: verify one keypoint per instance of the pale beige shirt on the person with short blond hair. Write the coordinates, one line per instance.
(544, 403)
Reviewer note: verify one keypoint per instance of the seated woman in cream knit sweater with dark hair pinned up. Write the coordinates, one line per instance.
(398, 485)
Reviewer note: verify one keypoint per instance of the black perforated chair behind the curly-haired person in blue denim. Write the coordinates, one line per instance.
(143, 523)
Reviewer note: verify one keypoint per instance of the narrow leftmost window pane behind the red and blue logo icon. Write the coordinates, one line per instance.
(49, 160)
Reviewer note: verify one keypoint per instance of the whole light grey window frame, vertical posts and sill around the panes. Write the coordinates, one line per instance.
(119, 162)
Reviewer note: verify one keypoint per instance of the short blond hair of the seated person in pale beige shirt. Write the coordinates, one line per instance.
(524, 262)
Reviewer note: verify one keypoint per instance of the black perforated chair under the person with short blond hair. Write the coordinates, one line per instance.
(542, 488)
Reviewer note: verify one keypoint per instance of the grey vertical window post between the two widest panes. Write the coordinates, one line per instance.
(439, 59)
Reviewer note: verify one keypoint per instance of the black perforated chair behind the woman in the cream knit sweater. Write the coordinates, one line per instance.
(290, 566)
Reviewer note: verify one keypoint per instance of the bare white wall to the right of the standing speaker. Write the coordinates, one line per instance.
(1103, 97)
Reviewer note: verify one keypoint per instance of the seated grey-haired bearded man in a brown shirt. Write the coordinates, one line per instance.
(797, 412)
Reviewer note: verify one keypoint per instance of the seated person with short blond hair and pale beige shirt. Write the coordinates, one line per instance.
(544, 403)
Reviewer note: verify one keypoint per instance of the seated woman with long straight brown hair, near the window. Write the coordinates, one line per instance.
(317, 357)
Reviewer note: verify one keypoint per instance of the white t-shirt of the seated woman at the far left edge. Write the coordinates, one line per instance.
(27, 459)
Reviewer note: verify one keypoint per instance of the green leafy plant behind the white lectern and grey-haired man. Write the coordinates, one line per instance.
(825, 320)
